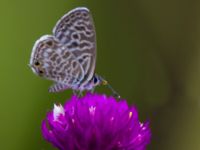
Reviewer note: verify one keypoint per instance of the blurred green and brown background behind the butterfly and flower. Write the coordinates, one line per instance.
(148, 50)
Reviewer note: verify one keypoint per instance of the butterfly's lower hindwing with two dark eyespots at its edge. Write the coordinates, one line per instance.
(51, 60)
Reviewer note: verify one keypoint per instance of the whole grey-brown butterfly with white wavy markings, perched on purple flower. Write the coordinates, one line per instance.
(68, 56)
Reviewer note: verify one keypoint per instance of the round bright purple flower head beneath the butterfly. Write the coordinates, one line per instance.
(95, 122)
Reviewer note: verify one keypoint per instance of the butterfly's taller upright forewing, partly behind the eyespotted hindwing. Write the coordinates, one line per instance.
(76, 32)
